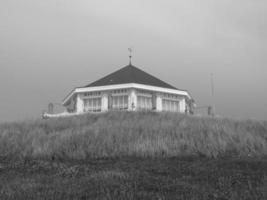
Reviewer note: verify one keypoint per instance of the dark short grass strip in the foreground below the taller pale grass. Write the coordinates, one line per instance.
(135, 178)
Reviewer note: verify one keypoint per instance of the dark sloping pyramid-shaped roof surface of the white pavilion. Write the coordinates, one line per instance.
(130, 74)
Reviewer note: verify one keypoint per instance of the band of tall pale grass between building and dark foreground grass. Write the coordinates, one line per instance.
(119, 134)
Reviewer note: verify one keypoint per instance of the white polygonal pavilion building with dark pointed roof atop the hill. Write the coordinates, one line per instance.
(129, 89)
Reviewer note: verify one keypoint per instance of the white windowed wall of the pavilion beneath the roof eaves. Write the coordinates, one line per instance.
(130, 99)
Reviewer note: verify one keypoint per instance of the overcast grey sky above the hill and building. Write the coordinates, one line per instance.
(49, 47)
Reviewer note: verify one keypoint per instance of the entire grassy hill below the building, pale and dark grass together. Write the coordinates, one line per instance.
(124, 155)
